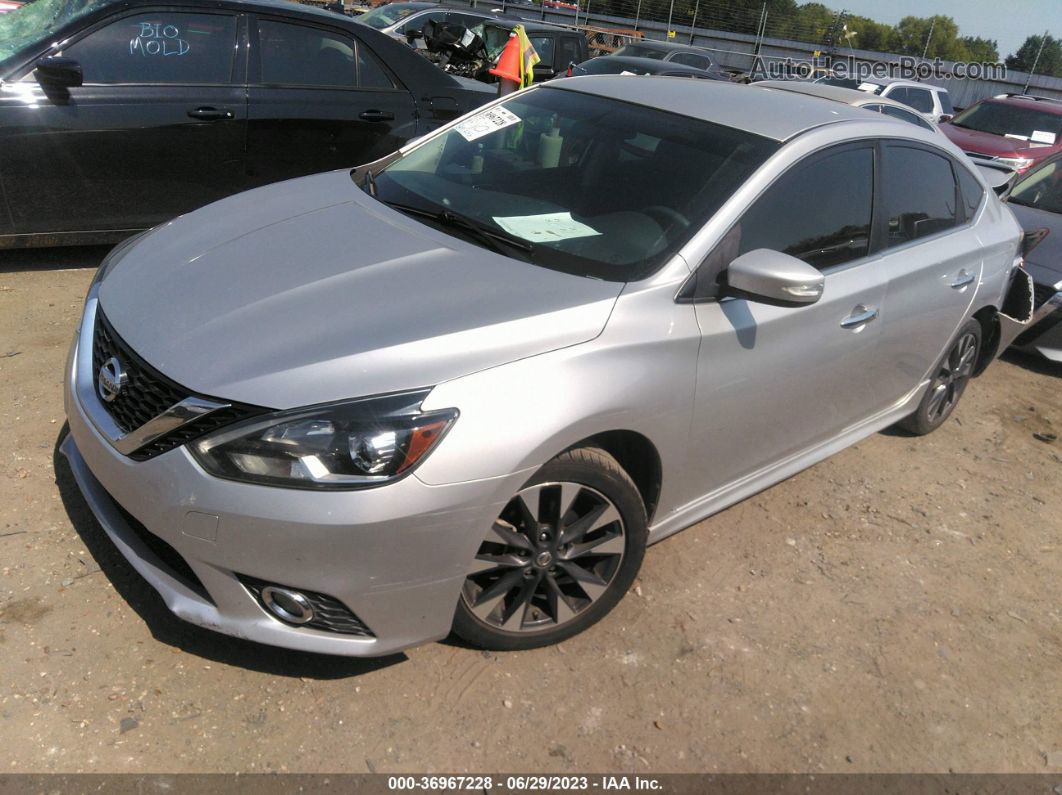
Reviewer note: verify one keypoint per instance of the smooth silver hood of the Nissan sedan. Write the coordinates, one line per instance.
(311, 291)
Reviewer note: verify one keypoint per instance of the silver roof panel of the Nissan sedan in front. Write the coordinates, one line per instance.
(777, 115)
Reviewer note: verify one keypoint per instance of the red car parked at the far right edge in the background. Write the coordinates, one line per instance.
(1018, 131)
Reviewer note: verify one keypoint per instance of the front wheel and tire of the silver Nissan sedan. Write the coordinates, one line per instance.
(534, 589)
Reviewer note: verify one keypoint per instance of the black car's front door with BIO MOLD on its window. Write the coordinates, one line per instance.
(157, 130)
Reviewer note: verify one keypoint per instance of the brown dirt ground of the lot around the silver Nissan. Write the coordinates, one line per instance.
(898, 608)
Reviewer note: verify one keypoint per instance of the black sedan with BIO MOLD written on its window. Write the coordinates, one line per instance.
(116, 116)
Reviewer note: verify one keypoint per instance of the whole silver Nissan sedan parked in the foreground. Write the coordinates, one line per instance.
(465, 387)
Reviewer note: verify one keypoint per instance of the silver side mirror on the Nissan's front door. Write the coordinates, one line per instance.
(774, 278)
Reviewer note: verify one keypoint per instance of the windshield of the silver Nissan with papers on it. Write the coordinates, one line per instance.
(597, 187)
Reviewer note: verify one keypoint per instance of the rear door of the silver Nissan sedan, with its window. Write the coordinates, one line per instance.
(933, 257)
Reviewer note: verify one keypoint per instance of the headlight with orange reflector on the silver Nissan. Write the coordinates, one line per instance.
(356, 444)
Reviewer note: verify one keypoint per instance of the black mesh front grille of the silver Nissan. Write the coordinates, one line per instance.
(148, 393)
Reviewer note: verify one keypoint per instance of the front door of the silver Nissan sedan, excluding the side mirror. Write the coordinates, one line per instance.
(773, 382)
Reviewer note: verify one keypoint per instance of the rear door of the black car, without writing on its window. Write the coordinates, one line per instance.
(320, 99)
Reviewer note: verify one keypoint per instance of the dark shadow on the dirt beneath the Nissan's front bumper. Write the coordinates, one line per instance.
(167, 629)
